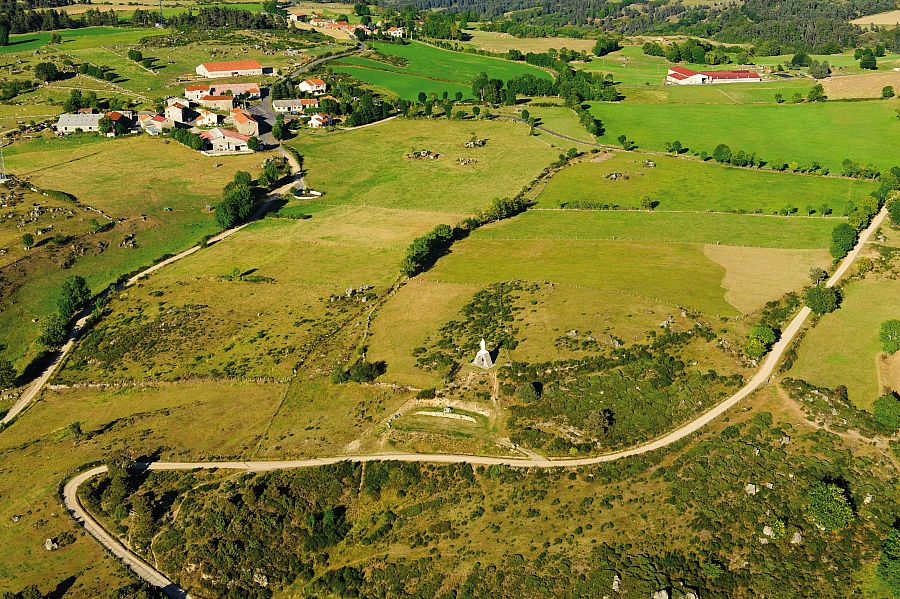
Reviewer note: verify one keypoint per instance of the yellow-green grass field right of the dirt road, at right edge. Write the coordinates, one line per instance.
(843, 347)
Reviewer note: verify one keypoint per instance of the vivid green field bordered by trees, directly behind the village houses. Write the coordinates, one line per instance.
(447, 70)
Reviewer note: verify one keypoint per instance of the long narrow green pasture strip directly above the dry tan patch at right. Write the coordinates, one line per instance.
(669, 227)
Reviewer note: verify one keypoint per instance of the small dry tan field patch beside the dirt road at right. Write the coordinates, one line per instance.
(754, 276)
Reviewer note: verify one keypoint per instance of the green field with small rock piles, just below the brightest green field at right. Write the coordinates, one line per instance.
(685, 184)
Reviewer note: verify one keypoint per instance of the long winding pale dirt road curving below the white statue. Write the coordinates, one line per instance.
(148, 573)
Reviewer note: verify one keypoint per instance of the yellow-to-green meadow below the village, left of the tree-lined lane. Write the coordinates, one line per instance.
(164, 205)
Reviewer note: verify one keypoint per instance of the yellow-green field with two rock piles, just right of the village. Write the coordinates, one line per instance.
(383, 176)
